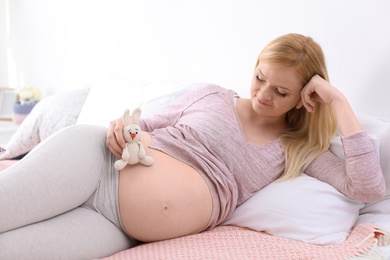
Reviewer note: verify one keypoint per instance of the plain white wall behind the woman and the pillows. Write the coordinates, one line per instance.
(63, 44)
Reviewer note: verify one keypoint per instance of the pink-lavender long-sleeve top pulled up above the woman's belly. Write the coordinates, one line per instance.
(202, 129)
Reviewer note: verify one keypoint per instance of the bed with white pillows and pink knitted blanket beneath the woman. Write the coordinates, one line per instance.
(285, 220)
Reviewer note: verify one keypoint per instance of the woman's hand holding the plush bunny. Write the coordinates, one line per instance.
(115, 139)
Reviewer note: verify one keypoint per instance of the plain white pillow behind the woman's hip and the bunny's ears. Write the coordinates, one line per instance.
(111, 94)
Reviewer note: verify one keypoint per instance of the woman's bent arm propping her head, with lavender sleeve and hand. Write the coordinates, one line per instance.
(359, 176)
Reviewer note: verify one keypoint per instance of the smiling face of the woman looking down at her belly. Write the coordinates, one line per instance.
(275, 89)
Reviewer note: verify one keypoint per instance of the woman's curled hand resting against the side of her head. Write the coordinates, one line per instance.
(318, 90)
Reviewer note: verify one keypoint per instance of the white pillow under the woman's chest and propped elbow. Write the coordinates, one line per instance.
(302, 208)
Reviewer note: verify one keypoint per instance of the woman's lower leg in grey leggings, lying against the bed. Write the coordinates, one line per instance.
(77, 234)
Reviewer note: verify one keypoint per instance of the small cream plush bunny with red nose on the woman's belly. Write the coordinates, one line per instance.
(134, 152)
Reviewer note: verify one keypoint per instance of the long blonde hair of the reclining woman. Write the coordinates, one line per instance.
(307, 135)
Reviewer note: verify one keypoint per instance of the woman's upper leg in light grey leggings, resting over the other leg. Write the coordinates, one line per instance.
(59, 174)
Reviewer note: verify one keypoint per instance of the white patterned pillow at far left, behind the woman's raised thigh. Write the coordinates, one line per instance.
(48, 116)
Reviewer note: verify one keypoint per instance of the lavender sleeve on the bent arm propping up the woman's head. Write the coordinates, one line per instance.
(359, 176)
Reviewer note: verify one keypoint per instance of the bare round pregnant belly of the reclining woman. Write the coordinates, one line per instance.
(168, 199)
